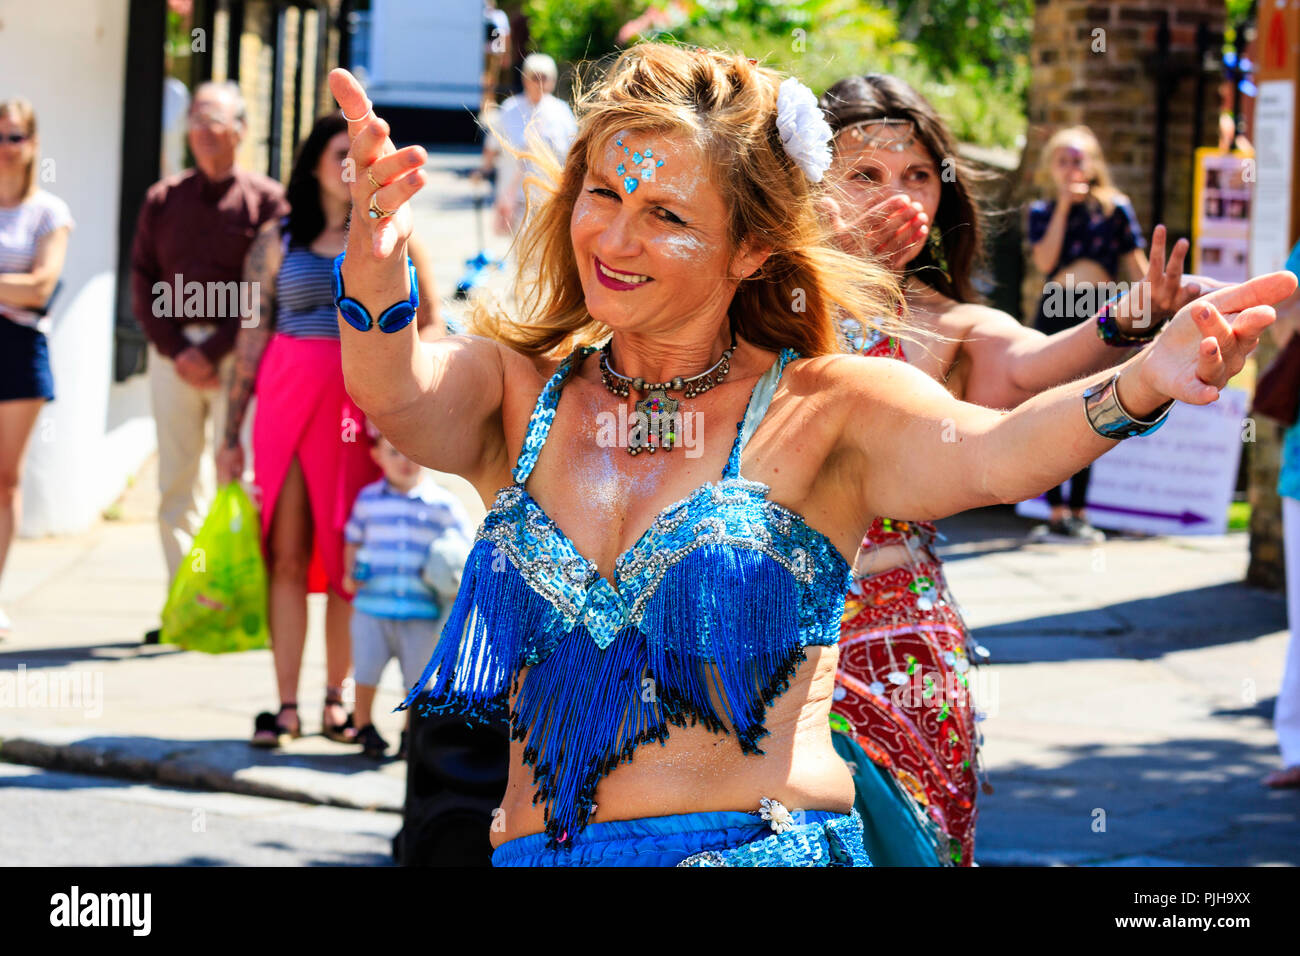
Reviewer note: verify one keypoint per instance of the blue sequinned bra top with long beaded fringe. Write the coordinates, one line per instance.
(707, 622)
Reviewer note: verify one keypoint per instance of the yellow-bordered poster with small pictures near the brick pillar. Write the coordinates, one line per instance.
(1221, 231)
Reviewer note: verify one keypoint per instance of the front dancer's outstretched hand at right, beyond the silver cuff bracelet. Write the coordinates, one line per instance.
(1208, 343)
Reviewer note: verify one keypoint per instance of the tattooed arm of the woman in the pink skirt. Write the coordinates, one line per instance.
(262, 266)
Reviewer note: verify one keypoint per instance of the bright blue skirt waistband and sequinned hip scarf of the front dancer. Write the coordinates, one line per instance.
(727, 838)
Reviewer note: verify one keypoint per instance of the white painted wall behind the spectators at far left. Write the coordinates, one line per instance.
(68, 58)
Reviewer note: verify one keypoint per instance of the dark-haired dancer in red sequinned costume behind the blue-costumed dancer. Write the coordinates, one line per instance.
(903, 703)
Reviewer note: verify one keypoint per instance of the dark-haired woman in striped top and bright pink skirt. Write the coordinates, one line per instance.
(310, 452)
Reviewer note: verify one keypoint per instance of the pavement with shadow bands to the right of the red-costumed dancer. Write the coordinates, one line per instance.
(1130, 697)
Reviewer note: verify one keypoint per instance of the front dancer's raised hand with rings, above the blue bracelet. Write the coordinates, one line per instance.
(380, 172)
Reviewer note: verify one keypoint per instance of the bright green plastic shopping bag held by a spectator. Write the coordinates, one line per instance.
(219, 599)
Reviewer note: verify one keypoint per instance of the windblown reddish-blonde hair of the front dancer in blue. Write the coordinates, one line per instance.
(726, 106)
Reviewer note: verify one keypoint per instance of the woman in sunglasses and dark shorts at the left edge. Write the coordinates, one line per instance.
(34, 228)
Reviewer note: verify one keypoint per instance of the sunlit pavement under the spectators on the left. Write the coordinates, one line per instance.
(81, 607)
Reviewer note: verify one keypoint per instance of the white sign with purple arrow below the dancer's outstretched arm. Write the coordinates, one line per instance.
(1178, 481)
